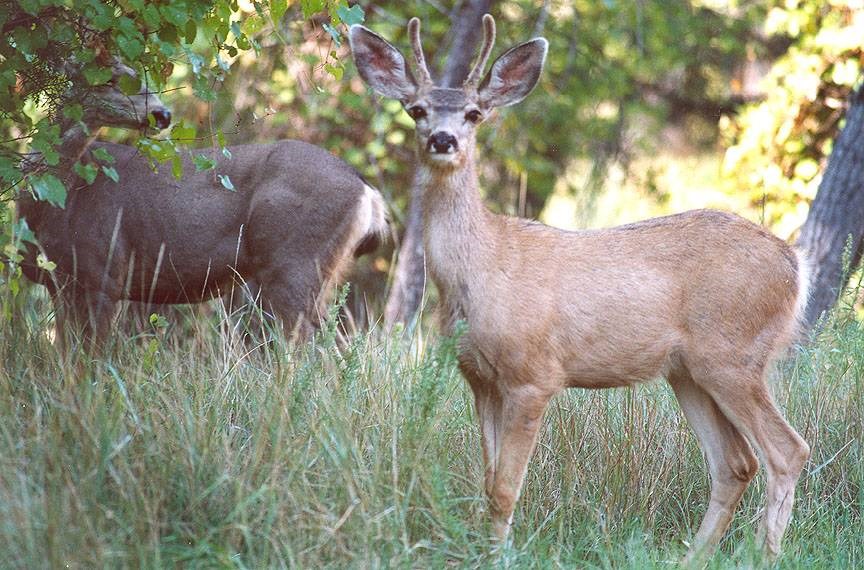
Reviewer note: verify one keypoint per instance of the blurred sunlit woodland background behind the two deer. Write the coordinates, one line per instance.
(645, 107)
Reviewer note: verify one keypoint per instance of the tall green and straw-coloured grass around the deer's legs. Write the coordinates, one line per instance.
(190, 449)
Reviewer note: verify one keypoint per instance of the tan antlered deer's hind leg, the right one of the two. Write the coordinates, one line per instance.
(746, 401)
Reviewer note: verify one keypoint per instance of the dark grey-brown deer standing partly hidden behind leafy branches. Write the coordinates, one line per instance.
(292, 228)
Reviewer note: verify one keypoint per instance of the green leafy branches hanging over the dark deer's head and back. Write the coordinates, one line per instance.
(41, 38)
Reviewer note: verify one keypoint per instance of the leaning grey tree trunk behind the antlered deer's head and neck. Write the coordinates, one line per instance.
(409, 279)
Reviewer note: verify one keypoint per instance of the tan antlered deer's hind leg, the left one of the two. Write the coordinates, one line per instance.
(731, 463)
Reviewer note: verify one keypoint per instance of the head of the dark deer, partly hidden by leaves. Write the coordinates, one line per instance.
(109, 106)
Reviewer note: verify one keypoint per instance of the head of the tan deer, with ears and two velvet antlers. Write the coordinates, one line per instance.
(446, 118)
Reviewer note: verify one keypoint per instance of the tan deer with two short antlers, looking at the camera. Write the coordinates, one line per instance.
(705, 299)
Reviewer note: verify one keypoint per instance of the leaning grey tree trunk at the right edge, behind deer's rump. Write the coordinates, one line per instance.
(837, 215)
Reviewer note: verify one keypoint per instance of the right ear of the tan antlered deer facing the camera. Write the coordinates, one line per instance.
(514, 74)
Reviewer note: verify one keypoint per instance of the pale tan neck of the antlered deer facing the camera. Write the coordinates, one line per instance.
(457, 232)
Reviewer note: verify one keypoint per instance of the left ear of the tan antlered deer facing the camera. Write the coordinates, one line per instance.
(380, 64)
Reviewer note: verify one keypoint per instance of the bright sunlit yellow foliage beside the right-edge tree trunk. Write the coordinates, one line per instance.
(779, 146)
